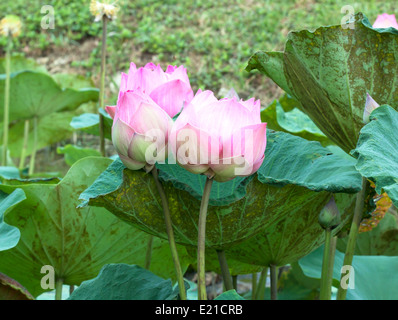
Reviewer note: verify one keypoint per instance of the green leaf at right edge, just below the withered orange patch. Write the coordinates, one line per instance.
(381, 240)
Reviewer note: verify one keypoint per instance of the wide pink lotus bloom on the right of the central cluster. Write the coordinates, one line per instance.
(219, 138)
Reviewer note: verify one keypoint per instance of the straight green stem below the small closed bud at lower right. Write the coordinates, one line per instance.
(327, 265)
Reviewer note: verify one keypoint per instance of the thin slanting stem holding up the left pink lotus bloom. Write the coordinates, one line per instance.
(170, 234)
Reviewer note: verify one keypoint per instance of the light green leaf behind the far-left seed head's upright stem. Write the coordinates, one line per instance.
(36, 94)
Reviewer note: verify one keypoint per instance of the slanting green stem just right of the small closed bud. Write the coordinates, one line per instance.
(352, 237)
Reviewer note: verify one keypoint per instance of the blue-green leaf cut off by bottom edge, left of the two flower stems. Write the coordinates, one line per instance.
(125, 282)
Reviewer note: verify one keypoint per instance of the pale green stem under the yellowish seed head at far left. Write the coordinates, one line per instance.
(6, 100)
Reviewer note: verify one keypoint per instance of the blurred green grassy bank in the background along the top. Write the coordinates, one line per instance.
(213, 39)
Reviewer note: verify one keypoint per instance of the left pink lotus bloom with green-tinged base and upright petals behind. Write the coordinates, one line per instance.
(142, 118)
